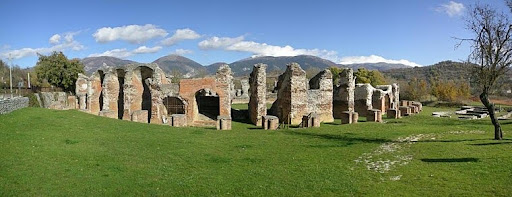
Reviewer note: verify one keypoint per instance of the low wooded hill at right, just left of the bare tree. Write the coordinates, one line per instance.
(446, 70)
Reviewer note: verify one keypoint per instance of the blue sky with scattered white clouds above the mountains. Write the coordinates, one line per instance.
(414, 32)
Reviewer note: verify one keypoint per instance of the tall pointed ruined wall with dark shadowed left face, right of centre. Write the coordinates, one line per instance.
(291, 95)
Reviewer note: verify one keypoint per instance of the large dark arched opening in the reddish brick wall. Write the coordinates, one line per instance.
(207, 103)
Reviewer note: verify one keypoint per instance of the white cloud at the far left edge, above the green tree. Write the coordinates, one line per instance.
(69, 43)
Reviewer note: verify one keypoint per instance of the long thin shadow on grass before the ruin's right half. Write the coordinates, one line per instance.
(342, 138)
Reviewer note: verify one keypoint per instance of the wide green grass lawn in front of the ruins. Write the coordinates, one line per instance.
(70, 153)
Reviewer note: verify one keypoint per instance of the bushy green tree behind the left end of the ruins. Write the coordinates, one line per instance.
(58, 70)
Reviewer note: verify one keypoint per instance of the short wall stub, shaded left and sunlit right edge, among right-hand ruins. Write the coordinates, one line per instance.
(363, 98)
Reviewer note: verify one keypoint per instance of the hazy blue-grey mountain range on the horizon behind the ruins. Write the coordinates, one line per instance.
(190, 68)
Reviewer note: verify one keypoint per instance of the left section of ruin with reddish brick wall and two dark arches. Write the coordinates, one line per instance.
(142, 93)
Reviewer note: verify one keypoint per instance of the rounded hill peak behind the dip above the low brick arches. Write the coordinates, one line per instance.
(187, 67)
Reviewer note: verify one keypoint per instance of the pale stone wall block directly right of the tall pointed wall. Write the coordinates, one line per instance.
(320, 96)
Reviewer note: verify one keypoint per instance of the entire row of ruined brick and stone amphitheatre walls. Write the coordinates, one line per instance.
(143, 93)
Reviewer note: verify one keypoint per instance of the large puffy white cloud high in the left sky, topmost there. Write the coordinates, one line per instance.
(131, 33)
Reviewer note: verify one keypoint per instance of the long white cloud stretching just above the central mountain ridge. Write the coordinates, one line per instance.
(262, 49)
